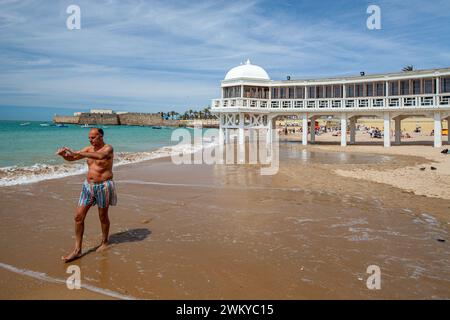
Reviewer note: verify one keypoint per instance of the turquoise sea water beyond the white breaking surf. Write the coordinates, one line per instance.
(33, 144)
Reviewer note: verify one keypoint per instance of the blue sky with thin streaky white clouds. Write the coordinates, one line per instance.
(151, 56)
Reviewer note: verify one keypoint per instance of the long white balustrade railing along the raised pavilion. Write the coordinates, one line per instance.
(396, 102)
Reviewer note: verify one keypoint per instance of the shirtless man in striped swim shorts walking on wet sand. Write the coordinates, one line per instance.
(98, 188)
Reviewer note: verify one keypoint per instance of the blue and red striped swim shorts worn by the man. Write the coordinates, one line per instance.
(102, 194)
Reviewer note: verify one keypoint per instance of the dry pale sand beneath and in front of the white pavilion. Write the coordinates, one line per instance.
(418, 178)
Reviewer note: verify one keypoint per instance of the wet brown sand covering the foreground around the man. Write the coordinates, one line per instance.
(226, 232)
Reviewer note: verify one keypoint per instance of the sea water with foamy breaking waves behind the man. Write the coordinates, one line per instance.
(27, 148)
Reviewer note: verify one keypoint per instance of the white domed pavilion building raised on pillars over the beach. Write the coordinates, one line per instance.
(250, 99)
